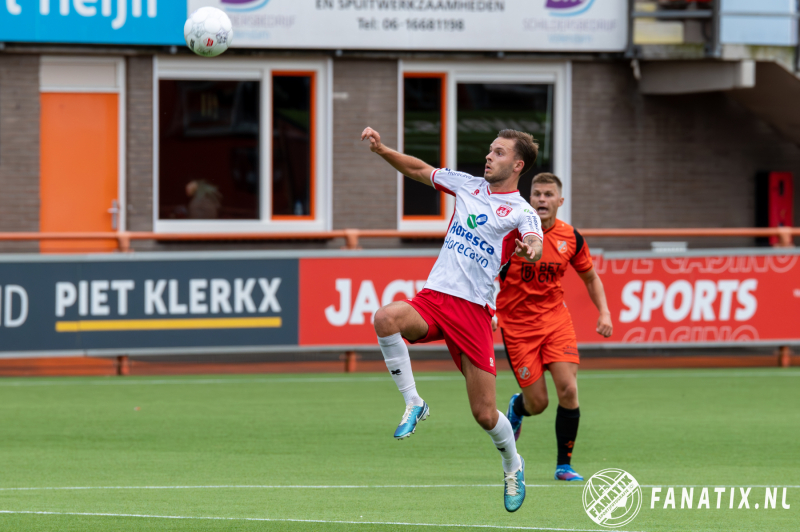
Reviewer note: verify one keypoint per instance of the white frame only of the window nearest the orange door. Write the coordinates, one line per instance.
(256, 69)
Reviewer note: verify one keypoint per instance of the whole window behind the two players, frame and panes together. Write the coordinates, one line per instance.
(452, 111)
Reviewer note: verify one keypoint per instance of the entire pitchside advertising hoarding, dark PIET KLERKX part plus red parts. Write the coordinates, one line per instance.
(289, 301)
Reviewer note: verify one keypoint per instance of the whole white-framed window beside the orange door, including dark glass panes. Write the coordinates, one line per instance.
(237, 146)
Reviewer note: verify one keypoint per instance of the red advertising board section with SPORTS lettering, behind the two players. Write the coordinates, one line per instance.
(692, 300)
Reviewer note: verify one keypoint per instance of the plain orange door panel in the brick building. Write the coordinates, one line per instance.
(79, 166)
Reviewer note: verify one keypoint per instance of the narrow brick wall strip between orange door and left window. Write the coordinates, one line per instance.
(140, 143)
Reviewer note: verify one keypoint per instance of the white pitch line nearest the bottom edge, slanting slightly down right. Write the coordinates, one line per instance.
(323, 521)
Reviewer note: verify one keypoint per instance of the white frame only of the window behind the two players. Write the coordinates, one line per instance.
(557, 73)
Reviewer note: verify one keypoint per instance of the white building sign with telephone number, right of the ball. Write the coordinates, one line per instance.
(480, 25)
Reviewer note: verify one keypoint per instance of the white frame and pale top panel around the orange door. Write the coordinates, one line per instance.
(74, 79)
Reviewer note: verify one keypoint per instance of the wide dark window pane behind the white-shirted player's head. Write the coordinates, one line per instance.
(484, 109)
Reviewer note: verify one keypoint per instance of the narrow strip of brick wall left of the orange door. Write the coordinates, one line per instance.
(19, 147)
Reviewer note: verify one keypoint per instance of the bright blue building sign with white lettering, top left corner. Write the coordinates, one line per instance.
(156, 22)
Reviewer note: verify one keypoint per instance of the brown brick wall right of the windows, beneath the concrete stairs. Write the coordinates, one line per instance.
(665, 161)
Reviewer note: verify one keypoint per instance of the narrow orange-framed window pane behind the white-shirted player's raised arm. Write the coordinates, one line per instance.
(423, 137)
